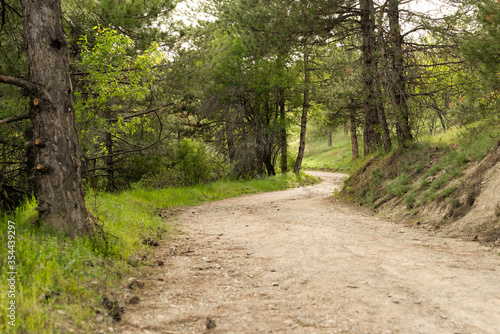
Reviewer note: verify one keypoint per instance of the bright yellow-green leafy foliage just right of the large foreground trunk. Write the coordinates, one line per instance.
(116, 85)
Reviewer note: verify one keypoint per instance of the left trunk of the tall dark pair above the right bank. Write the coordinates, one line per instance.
(371, 119)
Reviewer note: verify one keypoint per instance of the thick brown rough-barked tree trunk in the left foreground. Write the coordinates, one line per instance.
(57, 179)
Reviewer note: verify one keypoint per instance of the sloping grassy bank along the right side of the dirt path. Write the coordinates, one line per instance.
(430, 170)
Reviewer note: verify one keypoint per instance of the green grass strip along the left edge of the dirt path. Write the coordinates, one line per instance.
(61, 283)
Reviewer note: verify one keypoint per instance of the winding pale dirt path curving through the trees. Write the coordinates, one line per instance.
(297, 262)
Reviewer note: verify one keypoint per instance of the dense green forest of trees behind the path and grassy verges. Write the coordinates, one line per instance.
(166, 96)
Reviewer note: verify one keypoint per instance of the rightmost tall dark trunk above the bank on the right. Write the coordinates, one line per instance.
(398, 86)
